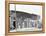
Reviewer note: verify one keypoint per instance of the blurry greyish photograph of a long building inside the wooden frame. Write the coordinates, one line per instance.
(25, 18)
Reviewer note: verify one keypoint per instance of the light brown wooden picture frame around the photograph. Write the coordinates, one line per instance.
(29, 3)
